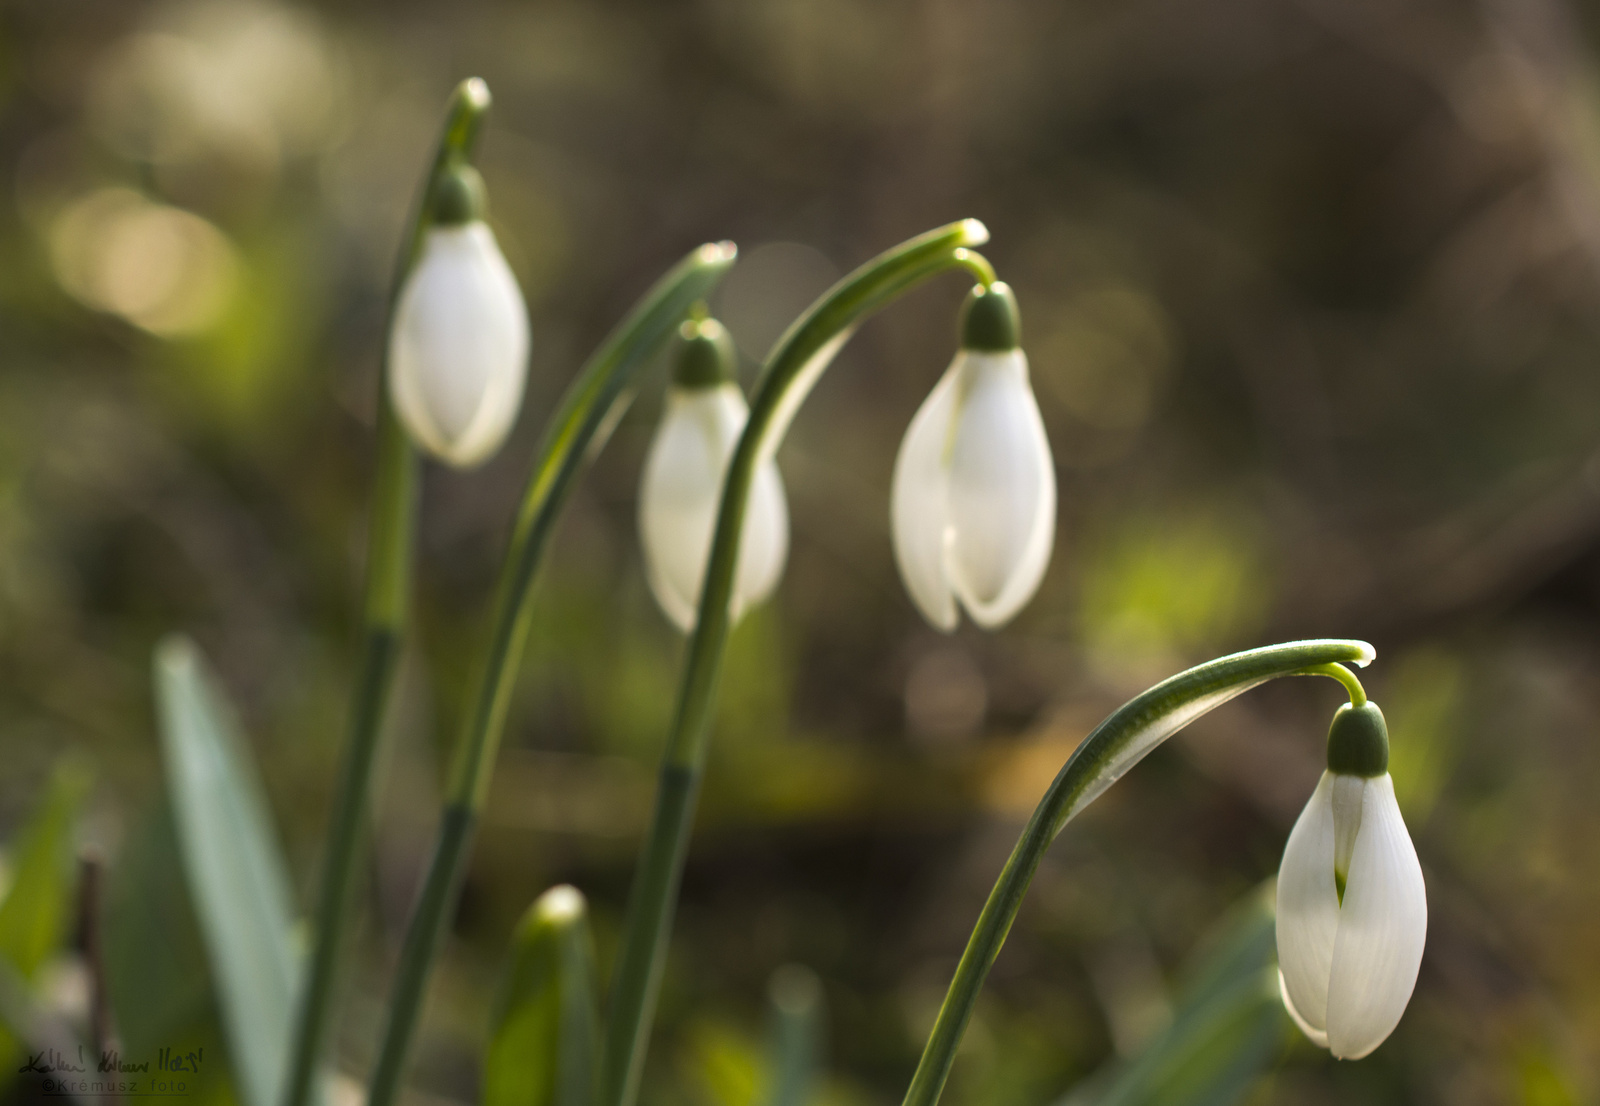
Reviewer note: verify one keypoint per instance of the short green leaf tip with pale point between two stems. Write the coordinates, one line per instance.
(545, 1043)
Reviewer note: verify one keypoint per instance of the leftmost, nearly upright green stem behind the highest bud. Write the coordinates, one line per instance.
(390, 556)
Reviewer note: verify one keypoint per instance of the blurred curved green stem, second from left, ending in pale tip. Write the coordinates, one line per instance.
(577, 431)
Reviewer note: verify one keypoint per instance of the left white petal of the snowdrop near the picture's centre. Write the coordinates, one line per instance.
(919, 513)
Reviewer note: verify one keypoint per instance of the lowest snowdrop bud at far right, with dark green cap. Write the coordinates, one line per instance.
(1353, 910)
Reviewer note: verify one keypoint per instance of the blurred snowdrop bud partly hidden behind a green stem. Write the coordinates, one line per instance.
(682, 486)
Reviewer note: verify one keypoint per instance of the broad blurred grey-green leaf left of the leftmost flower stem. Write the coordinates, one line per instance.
(234, 867)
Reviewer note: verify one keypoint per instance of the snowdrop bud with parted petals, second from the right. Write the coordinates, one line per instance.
(974, 508)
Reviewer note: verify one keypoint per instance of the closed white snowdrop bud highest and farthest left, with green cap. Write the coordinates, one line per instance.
(458, 351)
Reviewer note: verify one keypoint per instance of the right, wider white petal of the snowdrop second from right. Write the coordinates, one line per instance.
(1002, 492)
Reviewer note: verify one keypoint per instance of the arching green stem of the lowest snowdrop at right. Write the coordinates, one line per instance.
(1116, 745)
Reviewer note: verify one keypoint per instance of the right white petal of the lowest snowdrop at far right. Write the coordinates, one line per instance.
(1383, 928)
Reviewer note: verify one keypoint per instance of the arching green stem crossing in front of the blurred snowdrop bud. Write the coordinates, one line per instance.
(793, 369)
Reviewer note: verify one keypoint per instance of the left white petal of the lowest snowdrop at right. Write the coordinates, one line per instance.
(1310, 908)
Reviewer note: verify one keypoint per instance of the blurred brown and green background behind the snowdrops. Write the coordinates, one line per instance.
(1310, 291)
